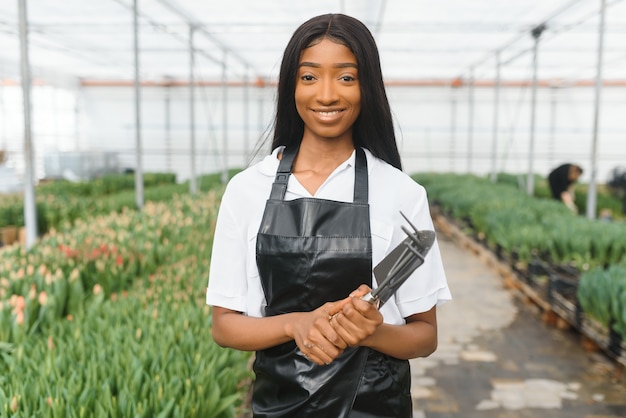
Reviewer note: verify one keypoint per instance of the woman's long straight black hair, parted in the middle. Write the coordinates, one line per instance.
(373, 129)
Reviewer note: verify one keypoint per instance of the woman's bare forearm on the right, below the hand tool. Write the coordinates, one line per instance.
(414, 339)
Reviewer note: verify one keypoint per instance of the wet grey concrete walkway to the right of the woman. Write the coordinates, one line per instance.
(498, 359)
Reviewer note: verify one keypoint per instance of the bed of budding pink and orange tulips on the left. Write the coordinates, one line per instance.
(108, 319)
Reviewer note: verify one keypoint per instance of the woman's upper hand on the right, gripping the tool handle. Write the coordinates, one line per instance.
(356, 319)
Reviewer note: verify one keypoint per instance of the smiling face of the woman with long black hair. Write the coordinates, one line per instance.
(328, 95)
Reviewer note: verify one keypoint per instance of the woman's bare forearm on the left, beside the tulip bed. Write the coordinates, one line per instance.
(235, 330)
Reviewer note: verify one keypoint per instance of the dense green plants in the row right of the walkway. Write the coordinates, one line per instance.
(524, 228)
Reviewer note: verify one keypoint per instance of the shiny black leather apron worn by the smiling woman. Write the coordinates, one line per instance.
(311, 251)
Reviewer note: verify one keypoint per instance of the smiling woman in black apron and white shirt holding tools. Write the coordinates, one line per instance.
(298, 233)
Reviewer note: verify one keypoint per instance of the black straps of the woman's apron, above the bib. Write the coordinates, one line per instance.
(279, 188)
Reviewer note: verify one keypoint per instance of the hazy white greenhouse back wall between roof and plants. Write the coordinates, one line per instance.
(432, 125)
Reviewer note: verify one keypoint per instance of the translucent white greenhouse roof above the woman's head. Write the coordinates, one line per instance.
(419, 40)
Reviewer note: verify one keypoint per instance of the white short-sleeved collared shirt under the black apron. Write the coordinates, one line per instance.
(234, 281)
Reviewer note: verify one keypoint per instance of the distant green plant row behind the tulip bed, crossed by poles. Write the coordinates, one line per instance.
(61, 203)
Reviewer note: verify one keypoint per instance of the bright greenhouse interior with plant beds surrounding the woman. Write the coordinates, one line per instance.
(122, 122)
